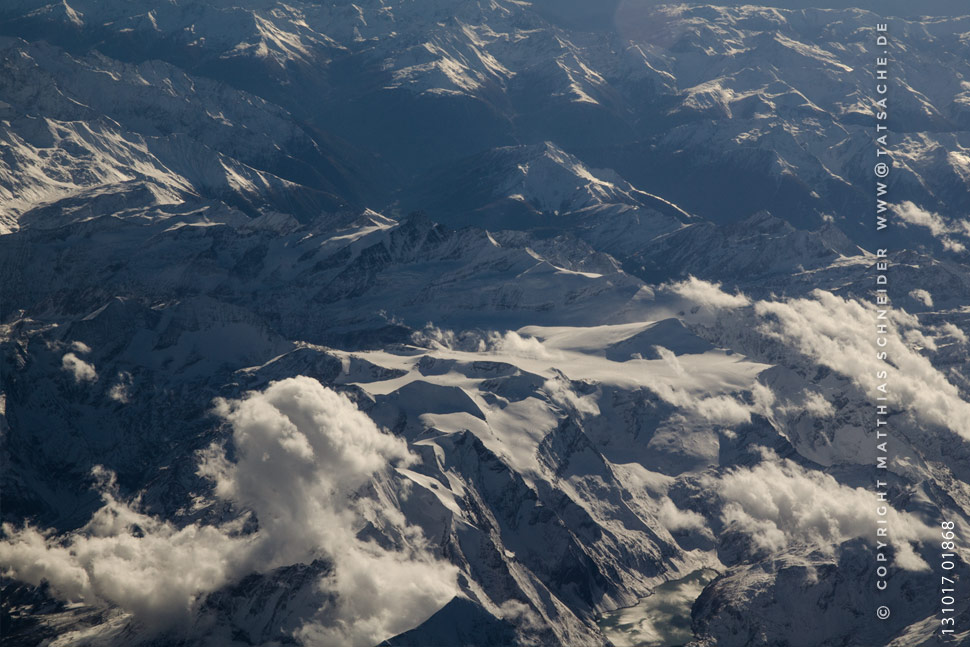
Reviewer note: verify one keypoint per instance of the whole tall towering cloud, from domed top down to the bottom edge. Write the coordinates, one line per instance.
(302, 451)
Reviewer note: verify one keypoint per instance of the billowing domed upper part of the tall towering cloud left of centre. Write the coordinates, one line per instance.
(301, 451)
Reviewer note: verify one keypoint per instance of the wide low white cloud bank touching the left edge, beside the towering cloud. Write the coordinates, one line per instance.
(122, 557)
